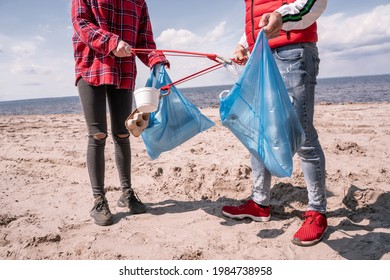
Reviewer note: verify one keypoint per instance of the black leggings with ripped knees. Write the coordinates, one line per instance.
(93, 100)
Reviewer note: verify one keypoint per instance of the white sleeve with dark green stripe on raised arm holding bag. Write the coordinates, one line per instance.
(301, 13)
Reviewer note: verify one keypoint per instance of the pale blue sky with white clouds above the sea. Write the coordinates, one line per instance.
(36, 55)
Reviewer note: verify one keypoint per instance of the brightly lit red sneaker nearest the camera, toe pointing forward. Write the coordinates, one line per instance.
(312, 229)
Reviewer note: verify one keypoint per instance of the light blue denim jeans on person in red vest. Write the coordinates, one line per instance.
(298, 65)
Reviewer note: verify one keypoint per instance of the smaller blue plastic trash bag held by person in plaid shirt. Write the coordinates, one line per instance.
(176, 119)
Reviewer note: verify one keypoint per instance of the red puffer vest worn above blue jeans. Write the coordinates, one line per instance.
(254, 11)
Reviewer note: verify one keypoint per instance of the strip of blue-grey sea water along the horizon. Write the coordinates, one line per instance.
(333, 90)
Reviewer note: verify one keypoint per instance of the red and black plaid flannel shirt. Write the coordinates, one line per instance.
(98, 27)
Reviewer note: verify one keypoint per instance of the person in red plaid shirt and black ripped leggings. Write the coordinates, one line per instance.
(105, 69)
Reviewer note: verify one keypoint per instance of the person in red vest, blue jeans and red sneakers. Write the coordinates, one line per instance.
(292, 31)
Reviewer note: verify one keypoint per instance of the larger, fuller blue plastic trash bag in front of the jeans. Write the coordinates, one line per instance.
(258, 111)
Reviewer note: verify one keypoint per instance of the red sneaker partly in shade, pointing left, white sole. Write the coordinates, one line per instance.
(249, 209)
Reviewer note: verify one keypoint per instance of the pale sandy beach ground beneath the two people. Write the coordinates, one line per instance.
(46, 198)
